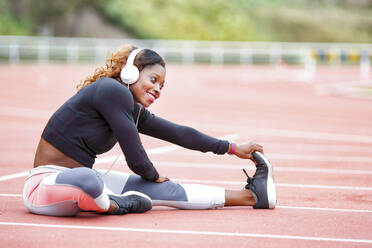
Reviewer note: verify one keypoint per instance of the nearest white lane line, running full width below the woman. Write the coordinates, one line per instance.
(188, 232)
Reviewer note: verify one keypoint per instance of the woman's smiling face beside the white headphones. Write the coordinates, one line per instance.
(149, 84)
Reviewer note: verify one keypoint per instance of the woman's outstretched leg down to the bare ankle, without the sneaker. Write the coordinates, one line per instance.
(182, 196)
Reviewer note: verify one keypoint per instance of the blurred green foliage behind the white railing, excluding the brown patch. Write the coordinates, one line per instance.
(235, 20)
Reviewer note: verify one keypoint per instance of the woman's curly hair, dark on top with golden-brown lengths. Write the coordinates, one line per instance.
(117, 60)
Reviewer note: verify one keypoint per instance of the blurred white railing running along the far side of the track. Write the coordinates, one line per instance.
(40, 49)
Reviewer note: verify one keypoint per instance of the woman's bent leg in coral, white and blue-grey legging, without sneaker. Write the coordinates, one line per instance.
(65, 193)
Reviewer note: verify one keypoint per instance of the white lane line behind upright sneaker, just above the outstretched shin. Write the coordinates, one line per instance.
(286, 185)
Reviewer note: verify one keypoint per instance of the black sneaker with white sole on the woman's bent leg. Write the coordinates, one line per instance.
(131, 202)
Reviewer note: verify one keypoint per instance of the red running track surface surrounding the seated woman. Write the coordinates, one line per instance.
(319, 143)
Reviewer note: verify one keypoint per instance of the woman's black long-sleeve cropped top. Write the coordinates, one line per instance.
(103, 113)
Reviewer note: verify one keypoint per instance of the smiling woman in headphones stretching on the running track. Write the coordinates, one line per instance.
(110, 107)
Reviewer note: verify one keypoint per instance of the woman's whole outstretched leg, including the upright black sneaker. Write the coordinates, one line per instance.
(259, 191)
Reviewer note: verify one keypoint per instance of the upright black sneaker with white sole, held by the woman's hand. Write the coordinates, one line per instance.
(262, 184)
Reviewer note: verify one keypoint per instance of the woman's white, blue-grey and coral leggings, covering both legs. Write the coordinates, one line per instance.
(60, 191)
